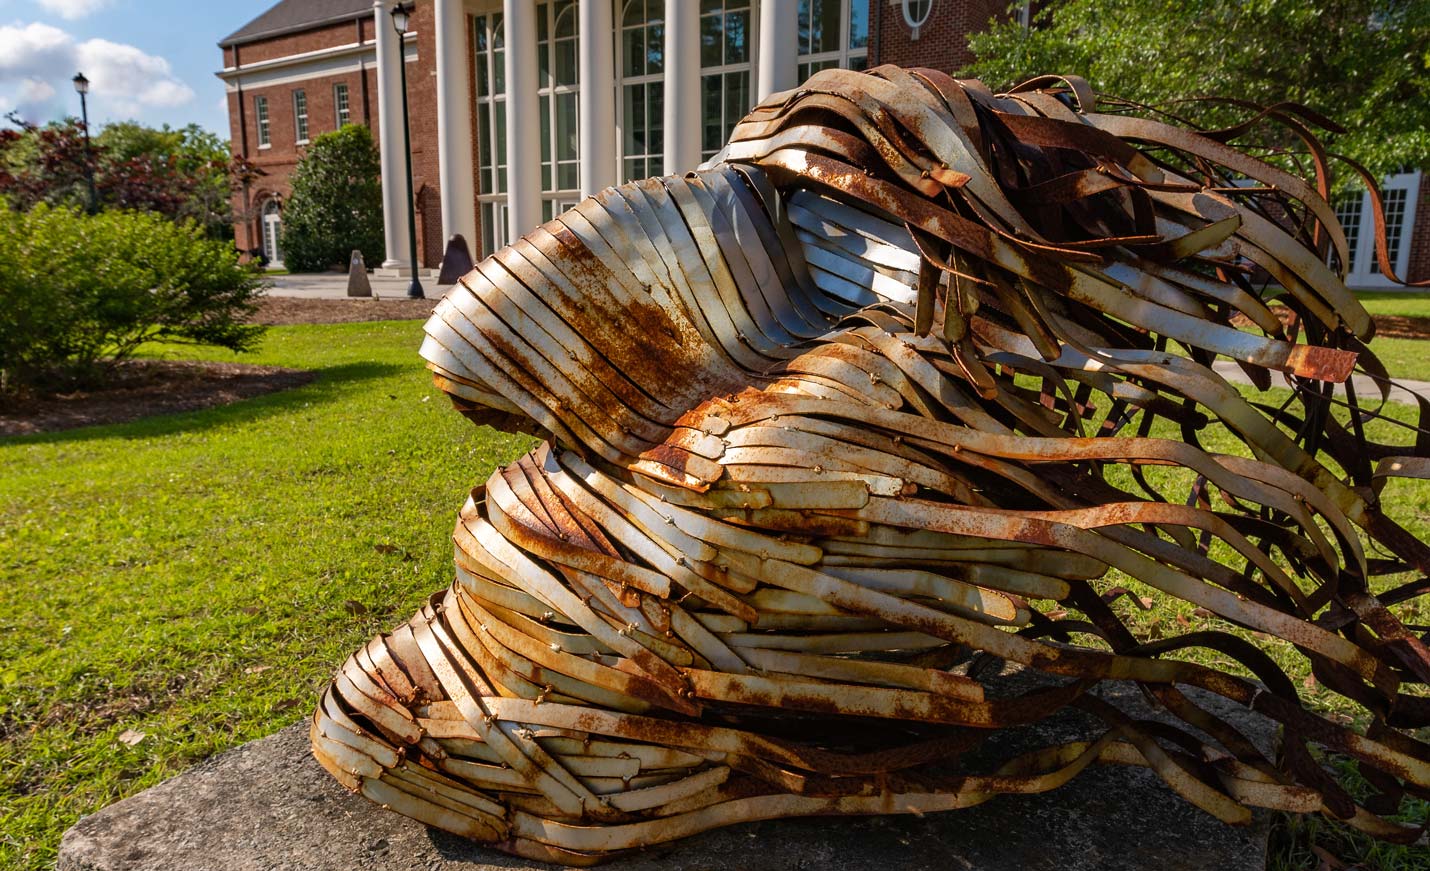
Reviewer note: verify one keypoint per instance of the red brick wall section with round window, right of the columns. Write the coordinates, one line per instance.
(942, 42)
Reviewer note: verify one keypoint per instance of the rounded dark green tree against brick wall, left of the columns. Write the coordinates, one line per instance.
(337, 202)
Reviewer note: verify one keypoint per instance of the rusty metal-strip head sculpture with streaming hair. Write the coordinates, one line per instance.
(886, 391)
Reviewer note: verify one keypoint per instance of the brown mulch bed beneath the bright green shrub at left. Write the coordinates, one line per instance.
(145, 388)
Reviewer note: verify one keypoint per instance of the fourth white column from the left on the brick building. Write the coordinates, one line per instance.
(598, 105)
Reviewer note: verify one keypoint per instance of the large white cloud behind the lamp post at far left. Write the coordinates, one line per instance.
(38, 61)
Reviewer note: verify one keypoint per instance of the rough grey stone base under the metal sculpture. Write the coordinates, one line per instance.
(270, 807)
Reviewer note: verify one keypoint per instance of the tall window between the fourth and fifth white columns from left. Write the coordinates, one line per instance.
(640, 88)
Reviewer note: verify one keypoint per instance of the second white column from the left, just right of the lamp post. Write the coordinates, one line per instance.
(455, 158)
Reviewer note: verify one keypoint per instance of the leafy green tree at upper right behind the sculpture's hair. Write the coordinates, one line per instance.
(1362, 64)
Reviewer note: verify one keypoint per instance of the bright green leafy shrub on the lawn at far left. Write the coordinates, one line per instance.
(79, 290)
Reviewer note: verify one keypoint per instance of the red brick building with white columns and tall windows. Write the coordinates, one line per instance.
(657, 95)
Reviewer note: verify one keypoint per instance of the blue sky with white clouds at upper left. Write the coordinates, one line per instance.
(149, 61)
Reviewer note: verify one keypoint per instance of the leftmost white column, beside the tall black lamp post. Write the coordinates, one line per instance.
(390, 139)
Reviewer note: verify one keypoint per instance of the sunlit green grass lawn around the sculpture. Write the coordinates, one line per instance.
(198, 577)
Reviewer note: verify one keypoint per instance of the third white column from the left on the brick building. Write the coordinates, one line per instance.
(523, 119)
